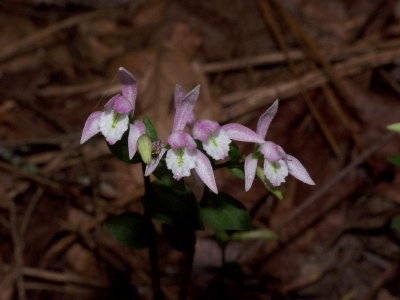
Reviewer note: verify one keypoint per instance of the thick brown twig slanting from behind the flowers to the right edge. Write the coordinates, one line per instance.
(243, 102)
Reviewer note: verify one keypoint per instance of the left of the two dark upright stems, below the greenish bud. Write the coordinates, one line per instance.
(158, 294)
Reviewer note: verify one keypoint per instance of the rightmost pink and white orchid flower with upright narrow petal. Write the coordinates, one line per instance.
(277, 164)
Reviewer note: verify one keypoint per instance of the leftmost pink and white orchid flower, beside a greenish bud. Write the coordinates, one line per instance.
(113, 120)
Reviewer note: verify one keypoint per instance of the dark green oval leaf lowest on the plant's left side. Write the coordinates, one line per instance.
(131, 229)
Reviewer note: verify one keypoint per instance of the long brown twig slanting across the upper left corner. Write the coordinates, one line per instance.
(29, 42)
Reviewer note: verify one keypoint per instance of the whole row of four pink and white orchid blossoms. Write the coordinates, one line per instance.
(183, 157)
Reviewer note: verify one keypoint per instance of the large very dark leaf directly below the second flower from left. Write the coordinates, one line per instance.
(173, 206)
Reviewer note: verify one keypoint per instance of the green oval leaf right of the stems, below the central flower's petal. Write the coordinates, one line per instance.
(223, 212)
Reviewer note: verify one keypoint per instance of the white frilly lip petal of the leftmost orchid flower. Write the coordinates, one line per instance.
(113, 125)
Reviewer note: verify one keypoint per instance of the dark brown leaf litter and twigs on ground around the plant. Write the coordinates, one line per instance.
(333, 64)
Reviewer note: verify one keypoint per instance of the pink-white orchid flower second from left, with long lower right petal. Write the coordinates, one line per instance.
(183, 157)
